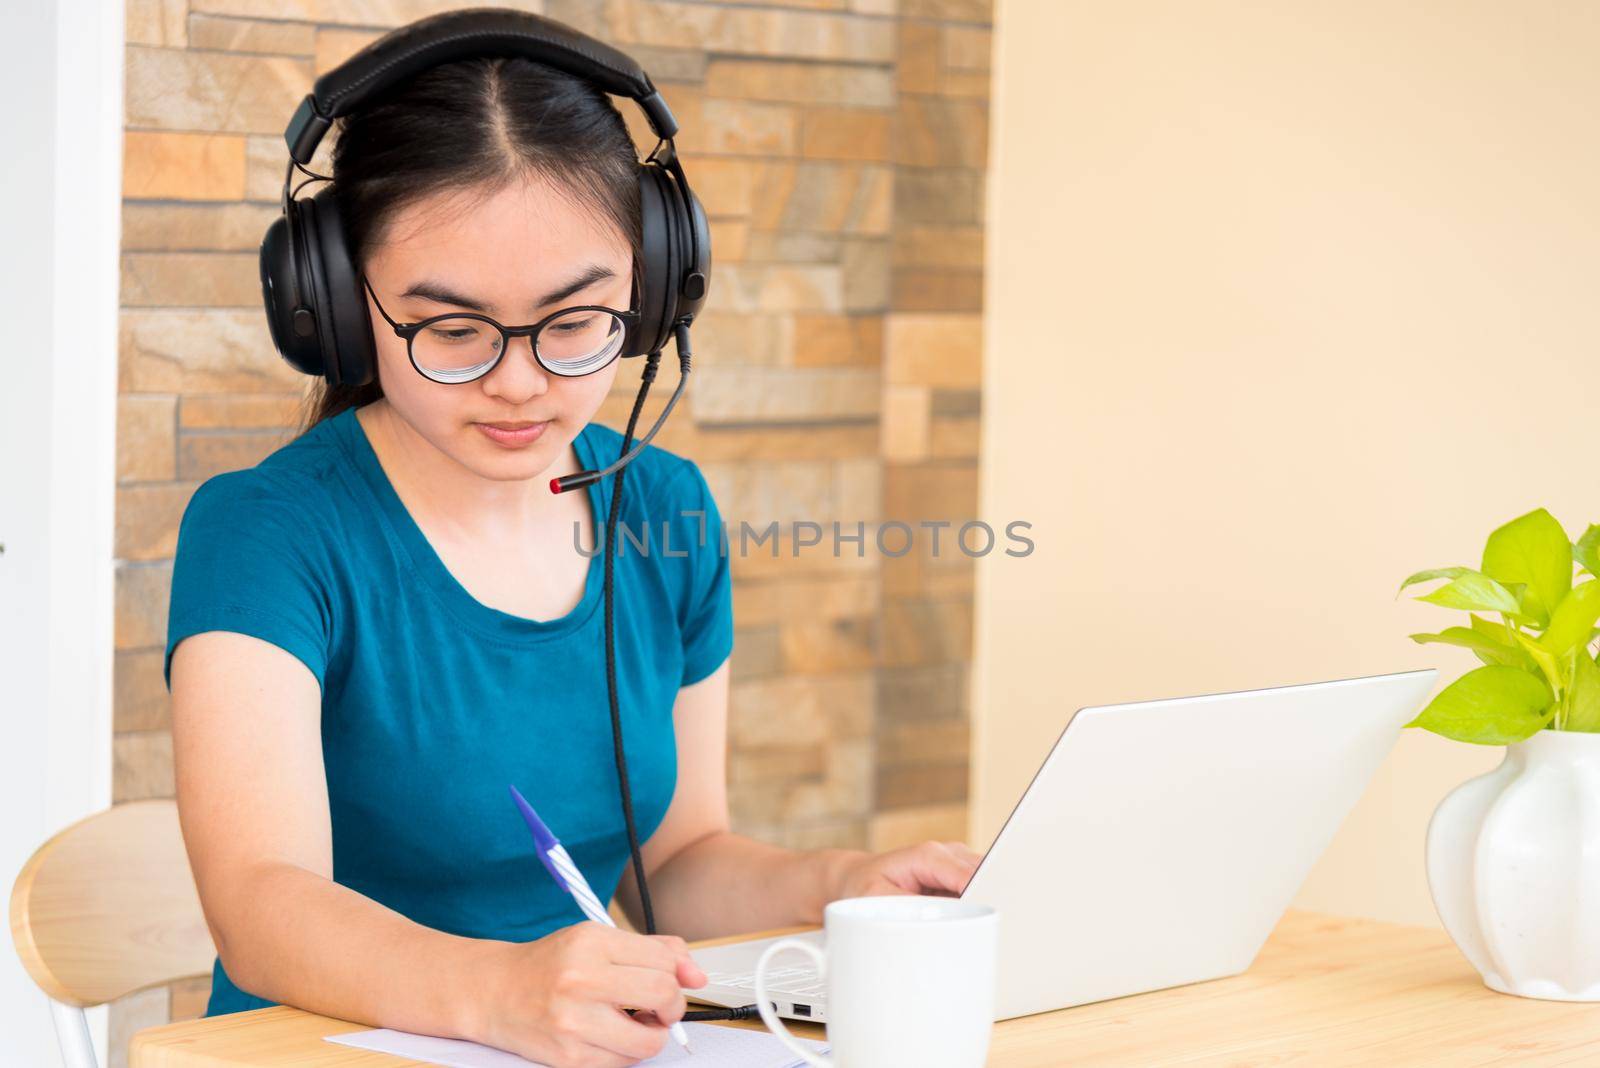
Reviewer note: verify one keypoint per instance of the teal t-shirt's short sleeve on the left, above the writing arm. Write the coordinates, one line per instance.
(244, 565)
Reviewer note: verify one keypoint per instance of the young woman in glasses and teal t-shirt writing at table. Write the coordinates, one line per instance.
(388, 621)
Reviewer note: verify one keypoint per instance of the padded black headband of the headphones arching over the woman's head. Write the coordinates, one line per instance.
(463, 34)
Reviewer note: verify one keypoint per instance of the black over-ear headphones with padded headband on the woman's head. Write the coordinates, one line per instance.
(311, 285)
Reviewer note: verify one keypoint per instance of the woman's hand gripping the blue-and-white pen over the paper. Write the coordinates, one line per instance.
(559, 1000)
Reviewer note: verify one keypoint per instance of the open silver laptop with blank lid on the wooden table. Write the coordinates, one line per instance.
(1158, 845)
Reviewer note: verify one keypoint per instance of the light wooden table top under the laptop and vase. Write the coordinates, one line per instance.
(1326, 990)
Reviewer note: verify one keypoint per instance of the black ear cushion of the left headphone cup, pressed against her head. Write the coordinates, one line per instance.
(342, 301)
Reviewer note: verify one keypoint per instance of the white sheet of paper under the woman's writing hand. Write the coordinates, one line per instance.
(714, 1048)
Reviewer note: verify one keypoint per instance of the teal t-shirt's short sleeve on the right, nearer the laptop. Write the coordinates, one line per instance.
(706, 608)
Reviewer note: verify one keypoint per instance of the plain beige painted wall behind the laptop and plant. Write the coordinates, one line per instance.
(1286, 301)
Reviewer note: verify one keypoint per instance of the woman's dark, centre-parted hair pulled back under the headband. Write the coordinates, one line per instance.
(476, 126)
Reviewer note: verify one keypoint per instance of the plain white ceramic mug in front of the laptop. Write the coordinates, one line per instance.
(911, 981)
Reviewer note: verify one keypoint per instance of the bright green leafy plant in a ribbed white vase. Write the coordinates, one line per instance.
(1514, 855)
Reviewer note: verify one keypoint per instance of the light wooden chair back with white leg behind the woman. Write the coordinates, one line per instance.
(106, 909)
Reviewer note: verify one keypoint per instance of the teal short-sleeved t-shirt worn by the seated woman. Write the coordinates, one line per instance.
(434, 703)
